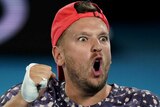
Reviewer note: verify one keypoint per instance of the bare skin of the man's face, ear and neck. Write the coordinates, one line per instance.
(83, 42)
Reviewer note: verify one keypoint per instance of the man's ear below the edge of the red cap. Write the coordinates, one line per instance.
(58, 55)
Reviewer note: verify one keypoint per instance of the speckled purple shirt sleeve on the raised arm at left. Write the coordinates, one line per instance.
(9, 94)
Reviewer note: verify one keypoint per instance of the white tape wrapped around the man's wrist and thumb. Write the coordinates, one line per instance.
(29, 90)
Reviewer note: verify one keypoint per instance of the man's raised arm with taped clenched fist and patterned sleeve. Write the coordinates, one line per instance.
(34, 76)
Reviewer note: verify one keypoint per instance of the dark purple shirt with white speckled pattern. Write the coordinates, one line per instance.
(119, 96)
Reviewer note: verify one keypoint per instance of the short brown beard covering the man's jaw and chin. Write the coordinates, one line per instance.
(78, 73)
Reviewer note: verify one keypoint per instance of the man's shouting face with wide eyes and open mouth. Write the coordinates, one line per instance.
(87, 55)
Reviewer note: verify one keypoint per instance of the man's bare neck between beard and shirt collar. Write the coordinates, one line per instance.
(82, 98)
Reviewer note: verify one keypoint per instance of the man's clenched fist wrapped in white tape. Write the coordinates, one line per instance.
(35, 81)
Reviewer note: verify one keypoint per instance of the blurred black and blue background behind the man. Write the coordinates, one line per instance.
(135, 40)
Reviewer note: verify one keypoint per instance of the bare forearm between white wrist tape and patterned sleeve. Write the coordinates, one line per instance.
(16, 101)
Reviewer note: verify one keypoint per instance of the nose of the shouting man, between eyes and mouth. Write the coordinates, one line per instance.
(96, 46)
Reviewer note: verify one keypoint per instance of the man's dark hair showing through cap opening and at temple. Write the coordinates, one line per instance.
(81, 7)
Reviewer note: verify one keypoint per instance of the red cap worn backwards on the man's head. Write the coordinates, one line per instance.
(66, 16)
